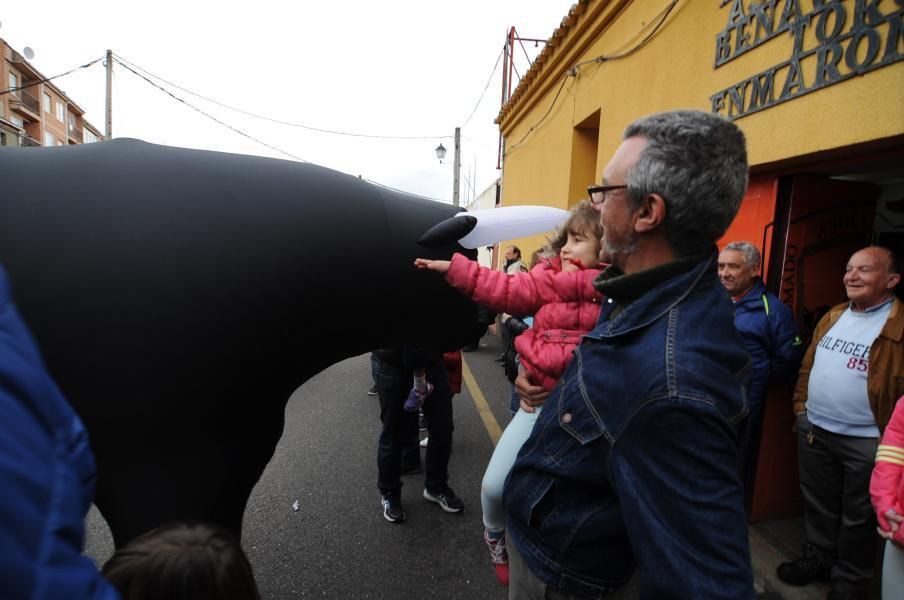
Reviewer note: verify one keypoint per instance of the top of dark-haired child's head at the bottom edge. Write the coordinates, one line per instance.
(182, 561)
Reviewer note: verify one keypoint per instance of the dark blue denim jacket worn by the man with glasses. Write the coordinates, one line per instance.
(634, 456)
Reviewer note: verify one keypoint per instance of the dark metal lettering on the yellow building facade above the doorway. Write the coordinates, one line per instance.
(833, 41)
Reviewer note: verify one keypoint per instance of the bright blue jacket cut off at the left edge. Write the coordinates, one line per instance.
(46, 476)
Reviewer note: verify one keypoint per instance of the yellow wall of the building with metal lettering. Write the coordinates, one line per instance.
(675, 69)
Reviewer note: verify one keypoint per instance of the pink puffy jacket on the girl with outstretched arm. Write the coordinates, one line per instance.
(565, 306)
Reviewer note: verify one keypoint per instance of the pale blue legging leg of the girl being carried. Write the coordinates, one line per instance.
(501, 463)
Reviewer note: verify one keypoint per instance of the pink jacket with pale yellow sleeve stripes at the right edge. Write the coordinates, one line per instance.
(887, 484)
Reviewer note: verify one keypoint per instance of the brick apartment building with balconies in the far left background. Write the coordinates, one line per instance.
(40, 115)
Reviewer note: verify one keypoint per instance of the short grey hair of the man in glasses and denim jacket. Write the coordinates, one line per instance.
(697, 162)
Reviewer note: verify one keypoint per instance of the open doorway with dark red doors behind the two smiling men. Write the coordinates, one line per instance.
(807, 226)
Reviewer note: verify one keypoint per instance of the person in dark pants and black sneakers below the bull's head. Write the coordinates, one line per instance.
(397, 366)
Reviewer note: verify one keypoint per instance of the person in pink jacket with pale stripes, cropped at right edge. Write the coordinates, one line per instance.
(887, 490)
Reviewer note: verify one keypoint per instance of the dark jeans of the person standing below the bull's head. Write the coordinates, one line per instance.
(400, 427)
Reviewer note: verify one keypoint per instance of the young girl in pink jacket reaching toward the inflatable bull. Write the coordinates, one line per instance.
(559, 293)
